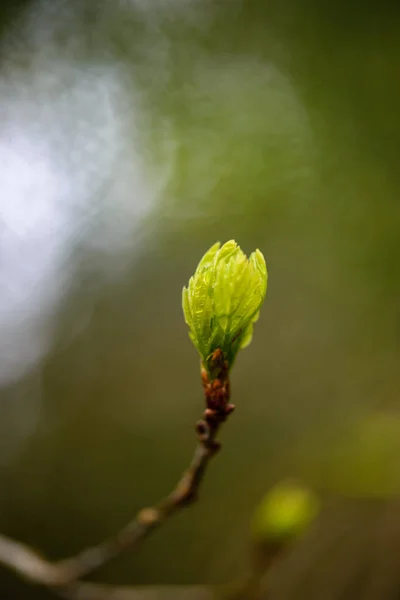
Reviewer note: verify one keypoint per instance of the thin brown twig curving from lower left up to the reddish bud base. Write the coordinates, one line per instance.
(61, 575)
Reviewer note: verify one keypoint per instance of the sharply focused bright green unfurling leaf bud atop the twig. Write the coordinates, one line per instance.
(223, 299)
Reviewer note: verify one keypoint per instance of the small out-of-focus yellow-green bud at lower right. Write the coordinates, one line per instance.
(285, 512)
